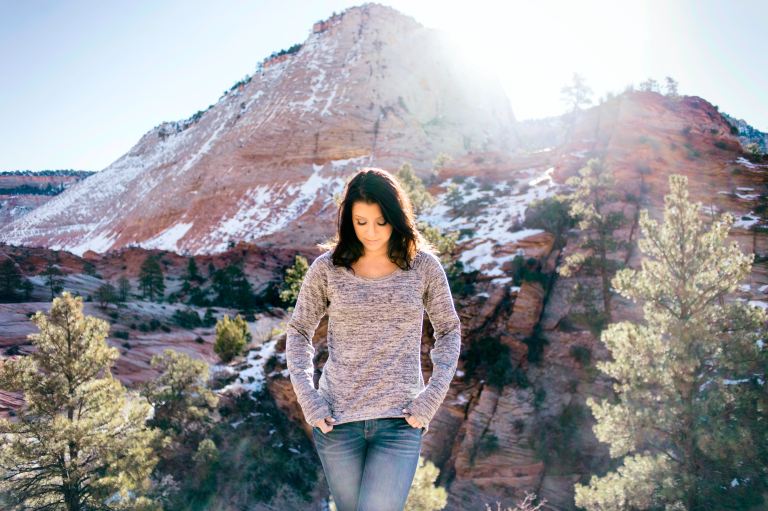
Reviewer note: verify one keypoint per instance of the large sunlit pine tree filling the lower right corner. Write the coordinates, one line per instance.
(689, 414)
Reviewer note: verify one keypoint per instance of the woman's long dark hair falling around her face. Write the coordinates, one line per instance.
(375, 185)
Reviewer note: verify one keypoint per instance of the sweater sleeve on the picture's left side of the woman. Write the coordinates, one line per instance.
(299, 352)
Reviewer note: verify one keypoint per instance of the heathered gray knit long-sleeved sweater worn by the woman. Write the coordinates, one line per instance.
(374, 341)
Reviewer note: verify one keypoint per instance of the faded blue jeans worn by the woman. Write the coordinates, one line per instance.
(369, 464)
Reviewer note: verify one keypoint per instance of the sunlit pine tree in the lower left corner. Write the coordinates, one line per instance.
(81, 441)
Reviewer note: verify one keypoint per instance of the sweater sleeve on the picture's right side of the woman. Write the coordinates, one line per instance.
(438, 303)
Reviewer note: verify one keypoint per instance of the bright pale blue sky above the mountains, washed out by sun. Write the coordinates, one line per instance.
(81, 81)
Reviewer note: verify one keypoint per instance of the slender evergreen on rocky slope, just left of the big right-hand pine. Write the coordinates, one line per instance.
(589, 203)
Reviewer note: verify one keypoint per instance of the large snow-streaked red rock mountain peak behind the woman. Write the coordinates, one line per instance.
(369, 86)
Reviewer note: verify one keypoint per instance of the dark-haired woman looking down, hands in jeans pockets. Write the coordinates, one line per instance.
(372, 408)
